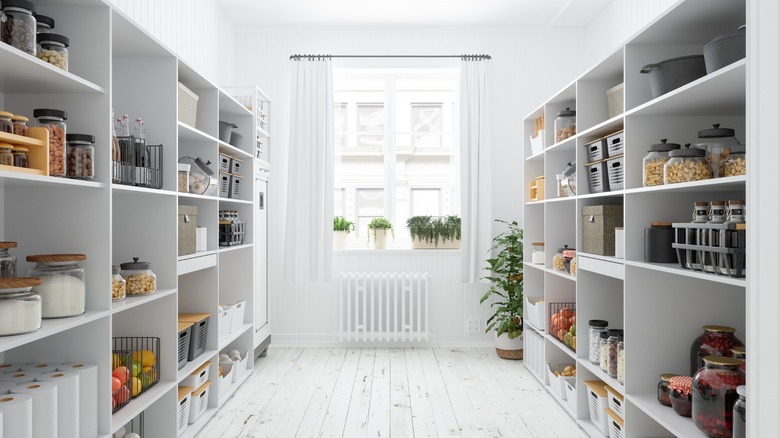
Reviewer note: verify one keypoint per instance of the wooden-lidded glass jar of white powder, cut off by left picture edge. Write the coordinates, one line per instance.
(20, 308)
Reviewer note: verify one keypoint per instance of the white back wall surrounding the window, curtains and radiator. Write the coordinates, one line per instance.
(299, 313)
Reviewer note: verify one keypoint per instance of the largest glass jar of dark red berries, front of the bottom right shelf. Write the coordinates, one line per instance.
(714, 395)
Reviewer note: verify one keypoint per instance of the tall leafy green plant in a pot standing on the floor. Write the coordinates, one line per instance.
(506, 278)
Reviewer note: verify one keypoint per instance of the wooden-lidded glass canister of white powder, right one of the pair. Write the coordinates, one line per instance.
(63, 289)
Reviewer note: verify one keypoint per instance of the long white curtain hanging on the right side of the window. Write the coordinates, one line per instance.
(475, 191)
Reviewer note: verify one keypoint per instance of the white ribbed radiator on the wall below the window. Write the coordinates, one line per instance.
(383, 307)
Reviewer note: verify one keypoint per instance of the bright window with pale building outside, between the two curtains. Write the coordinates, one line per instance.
(396, 150)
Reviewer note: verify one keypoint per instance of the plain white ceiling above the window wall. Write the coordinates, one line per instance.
(445, 13)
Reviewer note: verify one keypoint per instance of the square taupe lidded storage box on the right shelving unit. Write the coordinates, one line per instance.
(598, 228)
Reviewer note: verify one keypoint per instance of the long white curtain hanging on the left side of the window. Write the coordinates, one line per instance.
(308, 255)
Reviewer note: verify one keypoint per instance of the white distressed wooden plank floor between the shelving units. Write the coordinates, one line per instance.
(399, 392)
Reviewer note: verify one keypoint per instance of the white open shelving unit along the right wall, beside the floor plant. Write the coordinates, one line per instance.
(661, 307)
